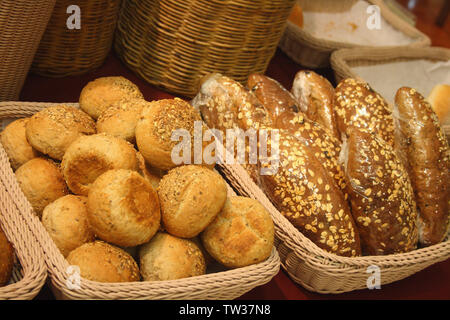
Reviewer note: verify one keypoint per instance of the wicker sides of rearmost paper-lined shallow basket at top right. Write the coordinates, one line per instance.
(312, 52)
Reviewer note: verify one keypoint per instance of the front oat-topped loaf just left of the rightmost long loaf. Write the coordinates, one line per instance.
(381, 195)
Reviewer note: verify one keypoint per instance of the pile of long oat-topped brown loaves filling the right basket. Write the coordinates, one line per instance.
(355, 176)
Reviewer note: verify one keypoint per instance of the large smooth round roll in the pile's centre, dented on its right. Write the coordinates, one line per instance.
(123, 208)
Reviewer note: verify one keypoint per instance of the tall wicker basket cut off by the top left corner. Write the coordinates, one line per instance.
(22, 24)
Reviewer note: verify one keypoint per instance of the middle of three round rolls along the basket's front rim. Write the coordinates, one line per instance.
(167, 257)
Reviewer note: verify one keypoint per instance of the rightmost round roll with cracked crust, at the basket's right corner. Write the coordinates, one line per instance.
(242, 233)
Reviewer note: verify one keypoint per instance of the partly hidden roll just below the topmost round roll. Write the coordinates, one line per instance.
(121, 118)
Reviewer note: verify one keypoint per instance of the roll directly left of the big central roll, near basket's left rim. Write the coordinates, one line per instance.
(66, 221)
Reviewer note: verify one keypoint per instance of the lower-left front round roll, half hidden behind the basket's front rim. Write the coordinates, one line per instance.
(102, 262)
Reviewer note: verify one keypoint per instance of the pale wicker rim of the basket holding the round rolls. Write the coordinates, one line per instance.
(228, 284)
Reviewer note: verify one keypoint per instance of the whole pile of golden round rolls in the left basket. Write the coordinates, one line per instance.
(102, 180)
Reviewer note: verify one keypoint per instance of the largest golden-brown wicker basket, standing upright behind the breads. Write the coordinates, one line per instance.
(172, 44)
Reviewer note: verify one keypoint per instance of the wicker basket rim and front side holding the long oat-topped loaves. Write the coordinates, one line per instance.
(323, 272)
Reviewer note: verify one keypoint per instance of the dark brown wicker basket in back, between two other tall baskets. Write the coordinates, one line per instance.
(63, 51)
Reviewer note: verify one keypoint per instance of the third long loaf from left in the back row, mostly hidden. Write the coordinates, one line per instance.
(315, 96)
